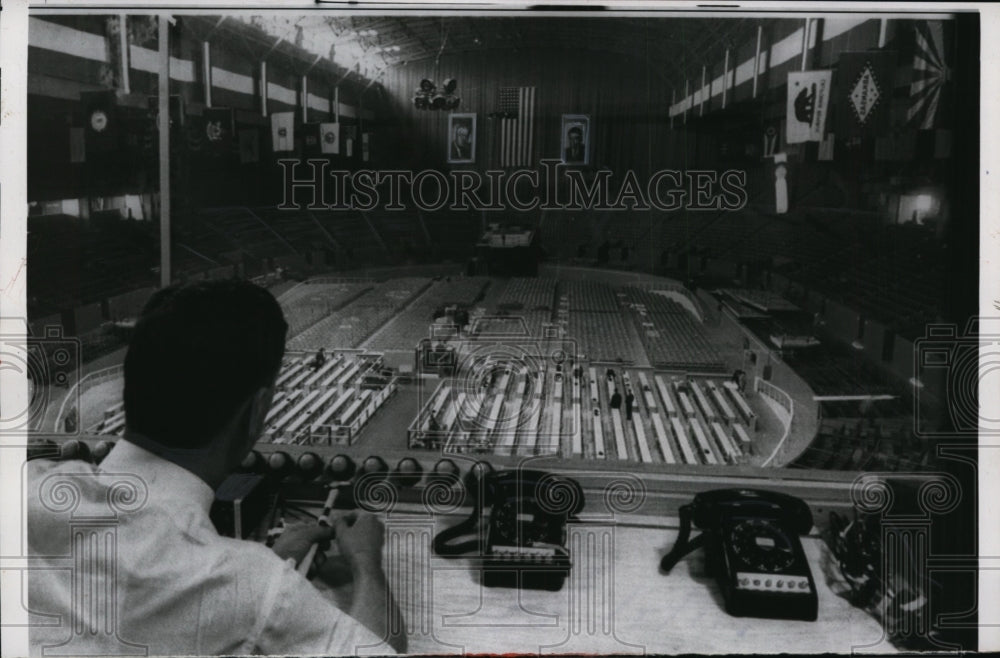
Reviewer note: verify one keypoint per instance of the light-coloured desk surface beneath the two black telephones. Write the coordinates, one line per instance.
(615, 601)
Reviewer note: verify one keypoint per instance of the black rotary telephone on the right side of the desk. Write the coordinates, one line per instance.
(752, 548)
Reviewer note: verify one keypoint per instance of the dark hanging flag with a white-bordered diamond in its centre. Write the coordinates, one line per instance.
(864, 93)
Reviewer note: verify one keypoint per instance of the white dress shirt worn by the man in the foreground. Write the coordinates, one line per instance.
(138, 568)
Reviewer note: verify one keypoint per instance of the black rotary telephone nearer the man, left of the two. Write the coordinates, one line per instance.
(524, 542)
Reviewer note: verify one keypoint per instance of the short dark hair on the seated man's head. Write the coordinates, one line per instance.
(197, 353)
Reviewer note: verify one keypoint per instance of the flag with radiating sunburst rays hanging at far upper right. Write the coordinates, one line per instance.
(931, 75)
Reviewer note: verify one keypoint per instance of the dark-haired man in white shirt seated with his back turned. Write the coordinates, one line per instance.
(125, 559)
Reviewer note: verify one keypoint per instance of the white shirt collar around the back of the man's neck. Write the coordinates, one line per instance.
(165, 480)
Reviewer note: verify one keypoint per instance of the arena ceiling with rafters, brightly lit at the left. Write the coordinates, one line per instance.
(368, 45)
